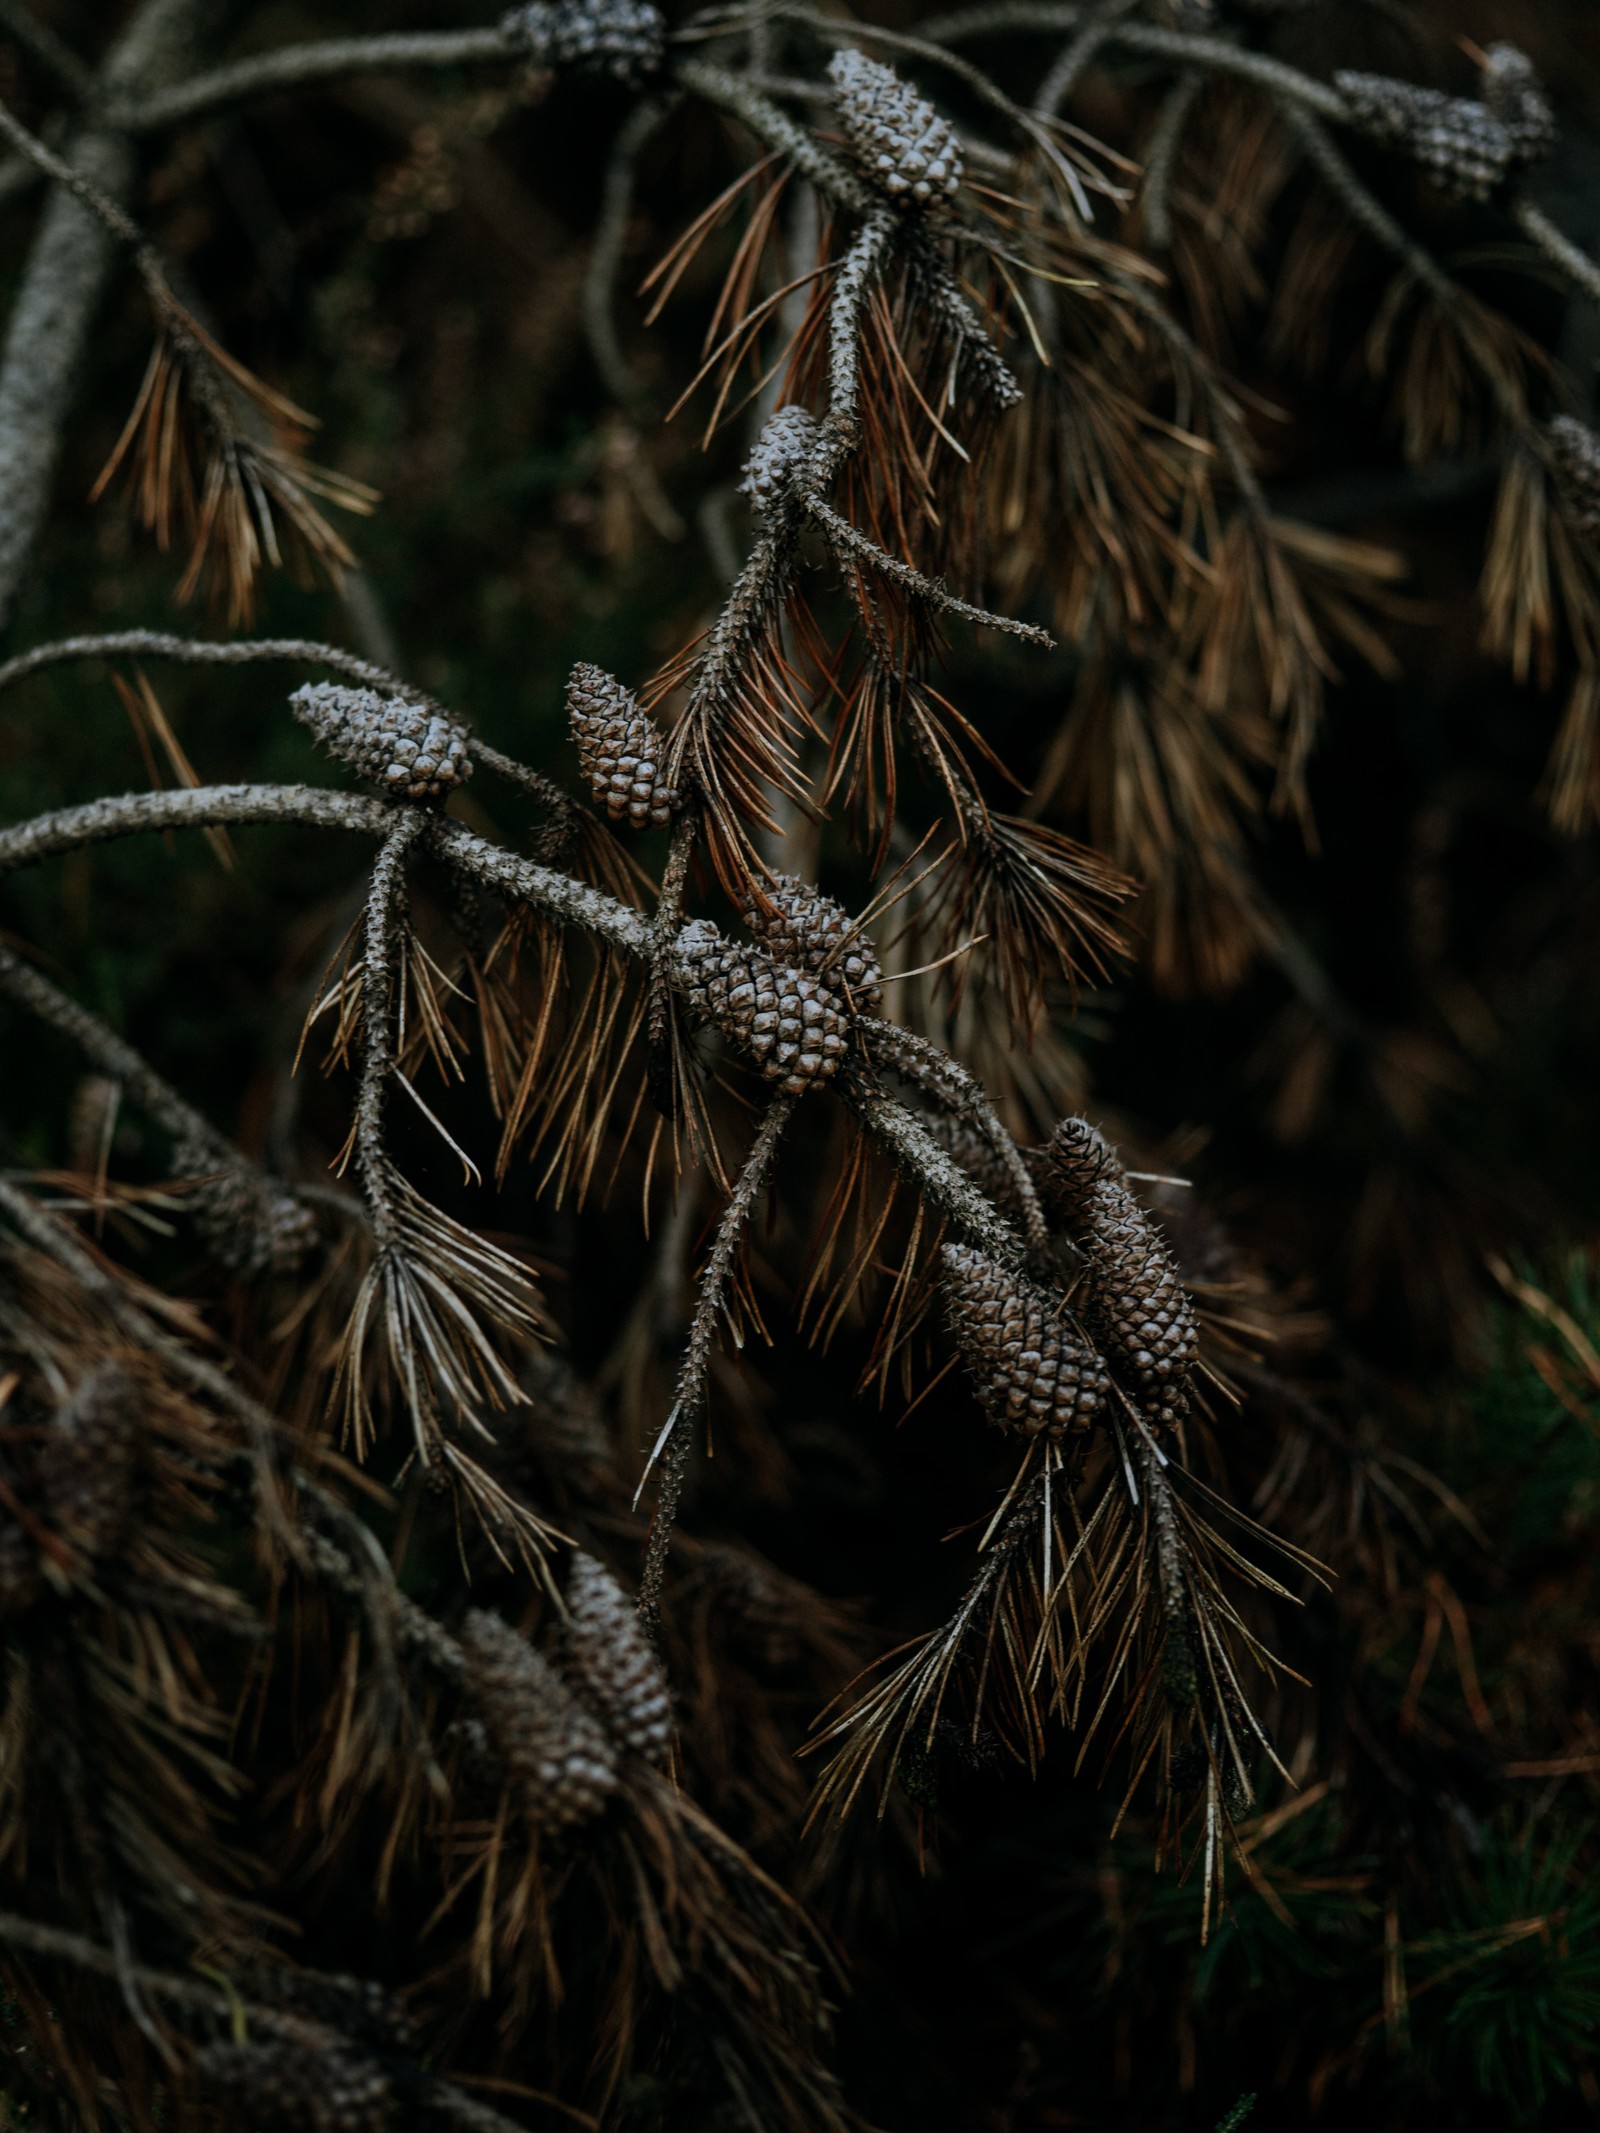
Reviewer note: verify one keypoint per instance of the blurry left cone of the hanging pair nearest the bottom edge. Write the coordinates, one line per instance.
(547, 1742)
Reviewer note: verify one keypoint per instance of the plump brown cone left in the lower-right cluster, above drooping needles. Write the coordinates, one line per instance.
(1029, 1370)
